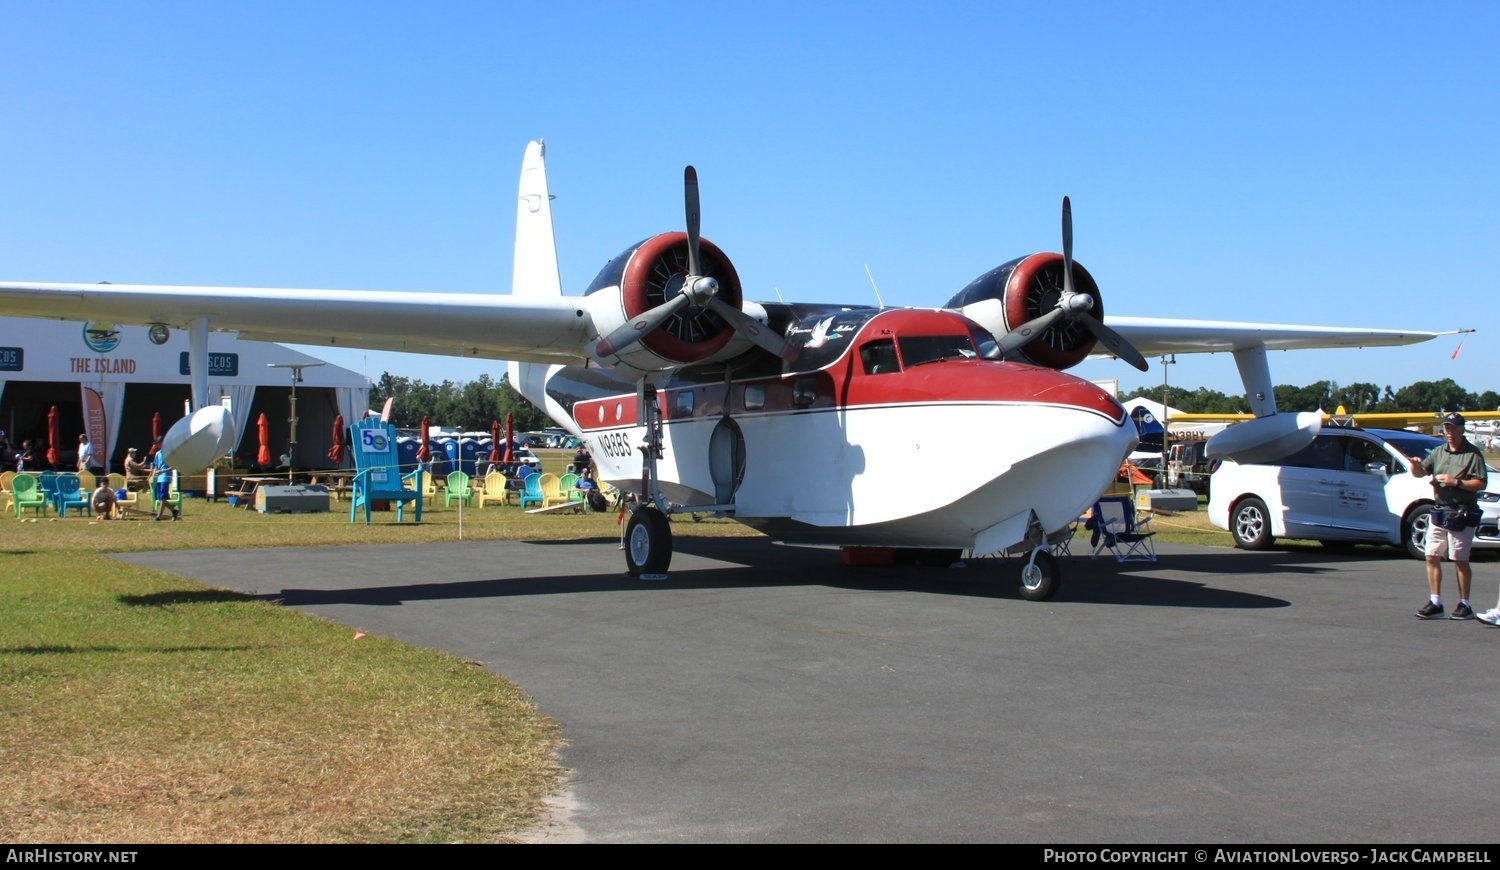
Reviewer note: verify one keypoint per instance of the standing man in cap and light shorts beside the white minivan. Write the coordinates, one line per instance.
(1459, 475)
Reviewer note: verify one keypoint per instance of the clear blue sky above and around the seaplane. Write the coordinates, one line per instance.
(1289, 163)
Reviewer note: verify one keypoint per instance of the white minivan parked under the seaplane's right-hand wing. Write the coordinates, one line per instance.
(1348, 487)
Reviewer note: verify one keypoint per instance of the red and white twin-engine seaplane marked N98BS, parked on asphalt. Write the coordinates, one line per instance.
(814, 424)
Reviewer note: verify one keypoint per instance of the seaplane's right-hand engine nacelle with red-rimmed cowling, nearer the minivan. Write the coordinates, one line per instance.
(1024, 290)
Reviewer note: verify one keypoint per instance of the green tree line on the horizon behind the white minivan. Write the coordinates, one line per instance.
(1327, 397)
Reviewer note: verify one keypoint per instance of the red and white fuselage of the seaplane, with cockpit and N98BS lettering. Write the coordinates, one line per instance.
(950, 452)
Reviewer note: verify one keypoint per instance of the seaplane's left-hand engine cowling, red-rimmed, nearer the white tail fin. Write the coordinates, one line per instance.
(646, 277)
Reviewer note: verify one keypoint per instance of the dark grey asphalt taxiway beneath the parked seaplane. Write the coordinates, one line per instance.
(767, 694)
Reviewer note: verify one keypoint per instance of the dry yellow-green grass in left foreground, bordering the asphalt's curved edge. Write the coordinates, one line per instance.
(137, 707)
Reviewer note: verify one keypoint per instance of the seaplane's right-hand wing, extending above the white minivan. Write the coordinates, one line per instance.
(1156, 337)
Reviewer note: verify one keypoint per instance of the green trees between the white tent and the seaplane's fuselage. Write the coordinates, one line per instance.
(470, 407)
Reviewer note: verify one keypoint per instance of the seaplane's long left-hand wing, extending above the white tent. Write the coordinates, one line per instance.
(535, 329)
